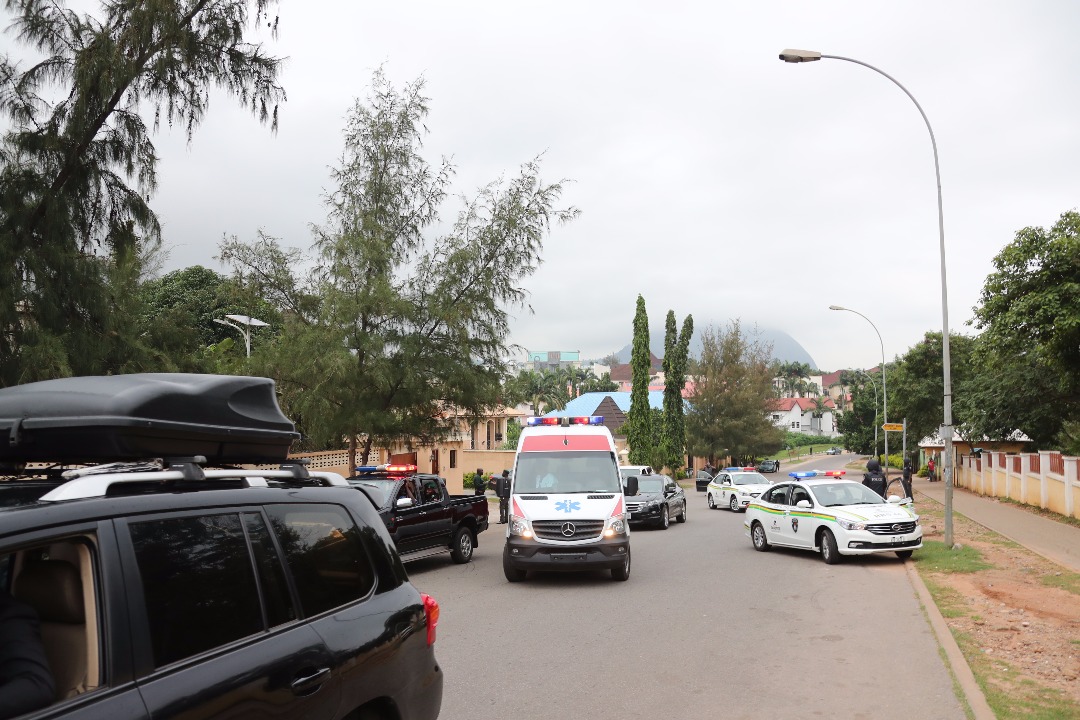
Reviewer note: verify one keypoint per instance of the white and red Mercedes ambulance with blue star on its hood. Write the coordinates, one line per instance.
(566, 502)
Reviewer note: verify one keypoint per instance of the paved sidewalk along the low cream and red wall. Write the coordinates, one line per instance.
(1055, 541)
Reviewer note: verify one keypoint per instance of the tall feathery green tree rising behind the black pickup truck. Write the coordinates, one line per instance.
(398, 323)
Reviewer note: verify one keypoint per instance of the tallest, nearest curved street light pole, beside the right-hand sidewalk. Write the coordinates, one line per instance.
(947, 430)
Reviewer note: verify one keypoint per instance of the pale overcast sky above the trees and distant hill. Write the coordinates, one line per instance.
(712, 179)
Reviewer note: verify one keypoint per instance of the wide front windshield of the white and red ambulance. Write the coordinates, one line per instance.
(566, 472)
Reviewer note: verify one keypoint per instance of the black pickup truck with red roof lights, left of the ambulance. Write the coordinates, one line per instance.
(418, 513)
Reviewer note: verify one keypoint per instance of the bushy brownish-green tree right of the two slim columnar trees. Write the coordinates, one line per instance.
(733, 398)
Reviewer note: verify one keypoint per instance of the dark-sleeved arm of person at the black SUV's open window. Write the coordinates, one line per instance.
(26, 683)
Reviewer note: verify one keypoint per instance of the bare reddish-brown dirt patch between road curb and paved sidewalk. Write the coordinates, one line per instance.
(1025, 629)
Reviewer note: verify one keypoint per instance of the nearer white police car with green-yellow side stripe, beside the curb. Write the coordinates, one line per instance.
(832, 517)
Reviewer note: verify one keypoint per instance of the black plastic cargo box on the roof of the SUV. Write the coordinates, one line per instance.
(228, 419)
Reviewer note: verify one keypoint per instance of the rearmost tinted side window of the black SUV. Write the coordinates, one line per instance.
(326, 555)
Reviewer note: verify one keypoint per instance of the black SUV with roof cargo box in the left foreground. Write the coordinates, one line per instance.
(171, 590)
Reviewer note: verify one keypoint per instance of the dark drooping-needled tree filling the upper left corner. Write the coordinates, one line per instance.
(76, 174)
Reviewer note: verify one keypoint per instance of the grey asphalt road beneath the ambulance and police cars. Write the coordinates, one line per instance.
(706, 627)
